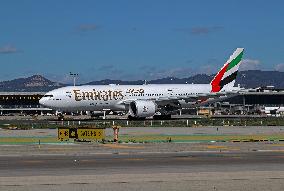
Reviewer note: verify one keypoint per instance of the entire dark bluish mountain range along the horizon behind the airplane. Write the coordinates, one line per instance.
(247, 79)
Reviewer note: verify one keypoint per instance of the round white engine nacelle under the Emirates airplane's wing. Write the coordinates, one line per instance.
(142, 108)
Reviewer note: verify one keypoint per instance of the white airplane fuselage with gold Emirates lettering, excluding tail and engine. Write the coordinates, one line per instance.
(113, 97)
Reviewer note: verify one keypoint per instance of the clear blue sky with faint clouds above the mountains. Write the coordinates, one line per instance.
(135, 39)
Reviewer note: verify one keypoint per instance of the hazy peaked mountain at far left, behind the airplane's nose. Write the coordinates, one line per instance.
(35, 83)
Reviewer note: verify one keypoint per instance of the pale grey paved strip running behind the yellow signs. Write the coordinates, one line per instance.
(136, 131)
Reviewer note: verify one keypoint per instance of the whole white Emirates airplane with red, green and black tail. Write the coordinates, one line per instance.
(147, 100)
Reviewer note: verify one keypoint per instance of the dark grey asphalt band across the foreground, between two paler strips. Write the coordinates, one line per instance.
(57, 164)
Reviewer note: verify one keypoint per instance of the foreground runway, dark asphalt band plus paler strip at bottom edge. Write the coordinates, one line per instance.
(144, 171)
